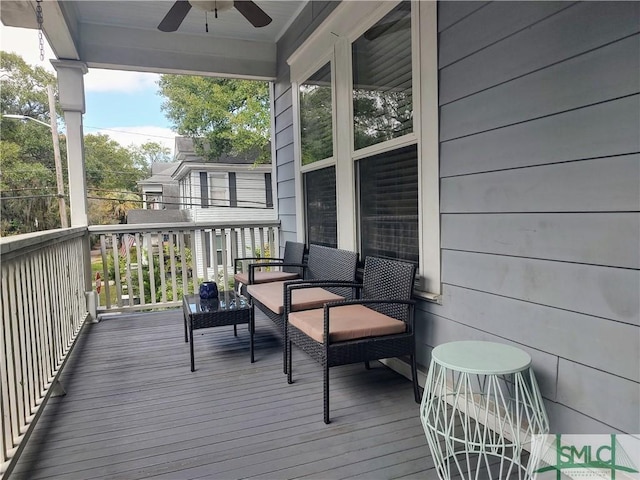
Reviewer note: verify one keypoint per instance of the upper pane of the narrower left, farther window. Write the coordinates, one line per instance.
(316, 125)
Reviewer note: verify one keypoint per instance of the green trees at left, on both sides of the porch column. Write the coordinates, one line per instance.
(27, 166)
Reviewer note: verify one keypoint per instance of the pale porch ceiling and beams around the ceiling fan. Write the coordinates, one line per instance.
(123, 35)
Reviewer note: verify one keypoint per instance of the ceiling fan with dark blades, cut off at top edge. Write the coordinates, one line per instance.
(177, 13)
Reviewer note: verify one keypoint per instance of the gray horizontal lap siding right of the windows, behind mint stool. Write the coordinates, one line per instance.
(540, 192)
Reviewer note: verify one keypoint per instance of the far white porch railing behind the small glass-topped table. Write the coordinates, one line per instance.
(152, 265)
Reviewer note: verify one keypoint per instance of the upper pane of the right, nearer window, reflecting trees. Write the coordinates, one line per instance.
(382, 93)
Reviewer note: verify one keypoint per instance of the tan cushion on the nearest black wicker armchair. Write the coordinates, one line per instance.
(348, 322)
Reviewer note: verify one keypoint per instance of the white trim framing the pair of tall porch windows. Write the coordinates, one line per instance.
(333, 38)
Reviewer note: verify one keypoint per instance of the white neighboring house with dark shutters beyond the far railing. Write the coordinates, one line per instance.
(229, 189)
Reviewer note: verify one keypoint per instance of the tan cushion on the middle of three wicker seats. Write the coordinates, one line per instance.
(270, 295)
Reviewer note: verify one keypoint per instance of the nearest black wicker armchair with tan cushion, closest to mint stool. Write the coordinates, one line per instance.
(377, 325)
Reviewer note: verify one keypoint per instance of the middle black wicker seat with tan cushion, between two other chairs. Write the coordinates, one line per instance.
(323, 264)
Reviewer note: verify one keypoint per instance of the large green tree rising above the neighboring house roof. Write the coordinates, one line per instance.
(223, 116)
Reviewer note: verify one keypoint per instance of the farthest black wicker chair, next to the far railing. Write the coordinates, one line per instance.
(285, 268)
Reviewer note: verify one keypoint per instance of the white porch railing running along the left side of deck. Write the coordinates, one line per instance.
(43, 310)
